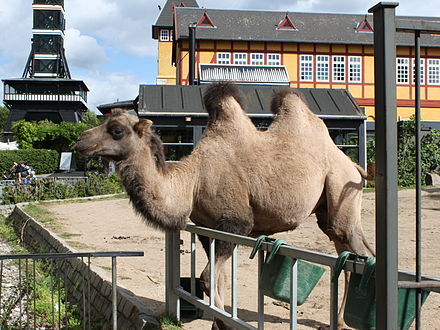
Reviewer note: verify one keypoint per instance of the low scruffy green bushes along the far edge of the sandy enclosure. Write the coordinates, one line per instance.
(47, 189)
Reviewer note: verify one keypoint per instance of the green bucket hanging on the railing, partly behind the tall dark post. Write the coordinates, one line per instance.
(360, 309)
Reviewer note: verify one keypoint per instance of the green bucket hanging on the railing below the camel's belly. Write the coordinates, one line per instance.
(275, 274)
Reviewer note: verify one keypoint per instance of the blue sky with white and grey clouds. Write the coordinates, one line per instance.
(109, 43)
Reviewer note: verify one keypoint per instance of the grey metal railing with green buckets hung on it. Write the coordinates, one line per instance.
(174, 291)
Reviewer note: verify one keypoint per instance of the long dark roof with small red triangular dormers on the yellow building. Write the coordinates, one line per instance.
(310, 27)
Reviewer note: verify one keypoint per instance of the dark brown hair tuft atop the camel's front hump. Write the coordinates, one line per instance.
(216, 94)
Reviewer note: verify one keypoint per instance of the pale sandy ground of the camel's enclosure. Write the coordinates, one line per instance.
(111, 225)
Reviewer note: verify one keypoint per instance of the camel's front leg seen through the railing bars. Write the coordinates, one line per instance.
(223, 251)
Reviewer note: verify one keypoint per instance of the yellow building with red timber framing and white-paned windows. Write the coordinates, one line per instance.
(315, 50)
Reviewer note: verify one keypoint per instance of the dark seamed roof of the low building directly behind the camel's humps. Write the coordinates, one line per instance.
(188, 100)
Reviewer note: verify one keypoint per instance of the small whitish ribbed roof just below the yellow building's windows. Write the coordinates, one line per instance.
(244, 74)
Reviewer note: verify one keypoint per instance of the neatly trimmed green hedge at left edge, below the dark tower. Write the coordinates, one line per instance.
(42, 160)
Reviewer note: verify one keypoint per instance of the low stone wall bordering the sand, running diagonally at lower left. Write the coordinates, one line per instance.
(77, 274)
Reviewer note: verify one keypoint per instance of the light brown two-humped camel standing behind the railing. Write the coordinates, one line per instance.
(238, 179)
